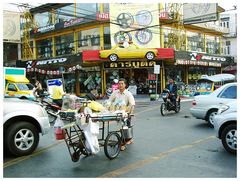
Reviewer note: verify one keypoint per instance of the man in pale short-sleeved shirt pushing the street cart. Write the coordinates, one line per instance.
(125, 97)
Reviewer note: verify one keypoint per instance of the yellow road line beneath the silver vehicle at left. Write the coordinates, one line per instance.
(17, 160)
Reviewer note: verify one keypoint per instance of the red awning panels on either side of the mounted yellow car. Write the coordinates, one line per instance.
(93, 55)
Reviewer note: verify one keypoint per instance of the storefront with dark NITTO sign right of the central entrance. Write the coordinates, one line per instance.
(190, 66)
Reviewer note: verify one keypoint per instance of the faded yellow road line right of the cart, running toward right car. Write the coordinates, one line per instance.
(152, 159)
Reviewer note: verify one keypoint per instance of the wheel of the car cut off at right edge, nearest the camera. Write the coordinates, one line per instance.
(229, 138)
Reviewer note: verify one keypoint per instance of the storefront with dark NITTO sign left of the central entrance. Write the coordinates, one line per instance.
(61, 67)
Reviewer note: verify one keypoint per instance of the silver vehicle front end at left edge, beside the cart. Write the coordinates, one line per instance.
(23, 121)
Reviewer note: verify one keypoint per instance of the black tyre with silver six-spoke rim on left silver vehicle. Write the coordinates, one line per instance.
(22, 138)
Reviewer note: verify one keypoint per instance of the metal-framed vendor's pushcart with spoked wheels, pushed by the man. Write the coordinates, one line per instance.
(76, 138)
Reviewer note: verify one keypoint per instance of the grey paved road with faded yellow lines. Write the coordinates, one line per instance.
(174, 146)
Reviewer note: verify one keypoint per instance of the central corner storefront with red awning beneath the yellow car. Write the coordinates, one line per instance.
(139, 73)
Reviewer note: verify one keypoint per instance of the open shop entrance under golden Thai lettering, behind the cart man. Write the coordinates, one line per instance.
(136, 73)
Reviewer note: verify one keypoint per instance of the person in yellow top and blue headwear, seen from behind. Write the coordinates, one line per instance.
(57, 93)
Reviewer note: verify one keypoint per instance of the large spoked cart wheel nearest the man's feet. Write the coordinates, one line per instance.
(112, 145)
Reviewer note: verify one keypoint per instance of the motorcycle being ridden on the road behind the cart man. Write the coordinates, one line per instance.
(167, 104)
